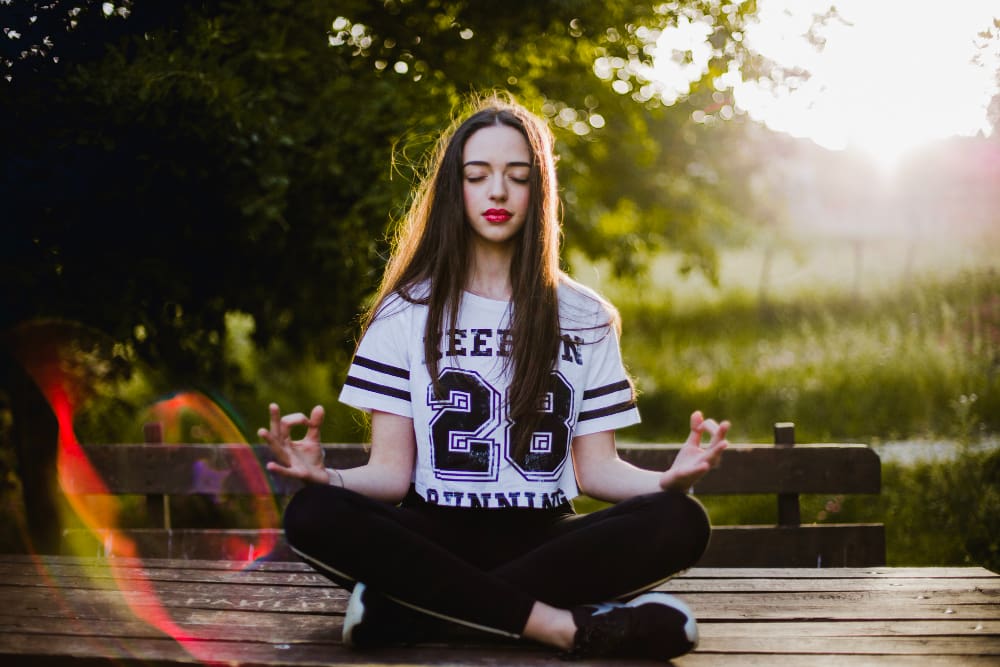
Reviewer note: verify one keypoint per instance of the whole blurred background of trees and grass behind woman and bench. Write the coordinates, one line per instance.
(200, 195)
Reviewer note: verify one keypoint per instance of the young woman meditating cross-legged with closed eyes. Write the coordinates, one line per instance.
(495, 384)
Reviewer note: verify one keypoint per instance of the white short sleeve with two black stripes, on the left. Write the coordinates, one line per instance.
(379, 376)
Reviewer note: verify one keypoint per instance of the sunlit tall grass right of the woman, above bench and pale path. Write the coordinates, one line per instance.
(883, 352)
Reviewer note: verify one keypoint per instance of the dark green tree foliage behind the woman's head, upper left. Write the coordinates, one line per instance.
(168, 162)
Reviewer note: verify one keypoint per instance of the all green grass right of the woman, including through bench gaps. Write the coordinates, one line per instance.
(901, 342)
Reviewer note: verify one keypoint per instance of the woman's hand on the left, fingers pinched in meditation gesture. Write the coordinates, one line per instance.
(299, 459)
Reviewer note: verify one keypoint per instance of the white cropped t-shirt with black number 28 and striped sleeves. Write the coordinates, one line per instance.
(464, 444)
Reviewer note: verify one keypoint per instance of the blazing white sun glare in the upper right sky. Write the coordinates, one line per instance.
(891, 76)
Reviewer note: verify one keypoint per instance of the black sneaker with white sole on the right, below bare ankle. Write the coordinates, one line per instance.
(653, 625)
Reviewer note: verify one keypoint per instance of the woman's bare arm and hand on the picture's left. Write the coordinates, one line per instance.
(385, 477)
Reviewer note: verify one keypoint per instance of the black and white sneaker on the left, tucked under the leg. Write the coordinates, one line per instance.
(372, 620)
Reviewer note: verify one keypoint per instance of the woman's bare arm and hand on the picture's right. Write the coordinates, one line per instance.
(603, 475)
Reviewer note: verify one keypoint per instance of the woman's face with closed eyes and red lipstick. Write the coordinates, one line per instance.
(496, 168)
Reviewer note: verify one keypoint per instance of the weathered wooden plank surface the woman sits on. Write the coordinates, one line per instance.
(66, 610)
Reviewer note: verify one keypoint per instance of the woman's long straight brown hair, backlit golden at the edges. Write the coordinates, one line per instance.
(435, 226)
